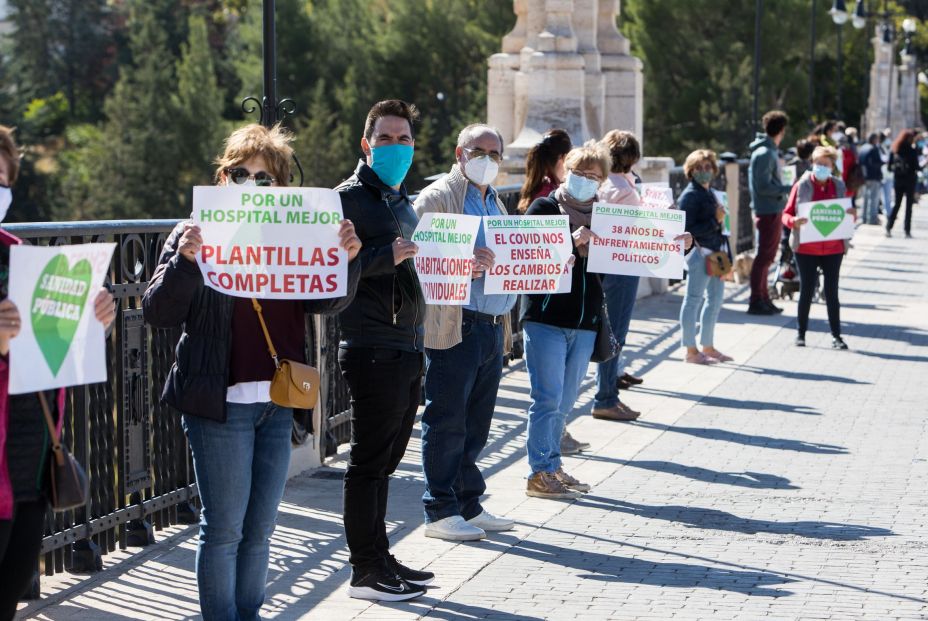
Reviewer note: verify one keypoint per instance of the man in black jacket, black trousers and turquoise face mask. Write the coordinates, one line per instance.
(381, 352)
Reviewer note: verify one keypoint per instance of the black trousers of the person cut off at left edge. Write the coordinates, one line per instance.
(20, 542)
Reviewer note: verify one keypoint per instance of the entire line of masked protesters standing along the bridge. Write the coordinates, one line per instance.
(394, 346)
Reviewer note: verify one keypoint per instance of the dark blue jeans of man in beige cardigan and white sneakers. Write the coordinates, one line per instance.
(460, 396)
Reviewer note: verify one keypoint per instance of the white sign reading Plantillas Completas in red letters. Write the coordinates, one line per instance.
(271, 243)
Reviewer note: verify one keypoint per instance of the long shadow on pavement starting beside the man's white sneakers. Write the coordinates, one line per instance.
(615, 568)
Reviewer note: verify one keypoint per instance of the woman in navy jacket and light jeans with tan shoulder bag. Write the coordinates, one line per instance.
(704, 218)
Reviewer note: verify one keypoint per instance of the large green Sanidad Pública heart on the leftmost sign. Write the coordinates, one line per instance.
(57, 307)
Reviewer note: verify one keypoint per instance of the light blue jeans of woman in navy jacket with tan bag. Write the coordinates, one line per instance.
(702, 291)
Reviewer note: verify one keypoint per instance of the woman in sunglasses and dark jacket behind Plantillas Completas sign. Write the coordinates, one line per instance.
(221, 384)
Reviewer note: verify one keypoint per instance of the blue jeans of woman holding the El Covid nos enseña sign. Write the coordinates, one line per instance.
(557, 360)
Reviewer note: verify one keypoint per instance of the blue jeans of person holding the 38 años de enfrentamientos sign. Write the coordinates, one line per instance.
(620, 293)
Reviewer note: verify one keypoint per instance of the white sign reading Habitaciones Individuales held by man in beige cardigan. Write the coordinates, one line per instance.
(443, 263)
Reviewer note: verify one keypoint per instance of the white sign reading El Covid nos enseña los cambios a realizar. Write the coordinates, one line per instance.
(531, 254)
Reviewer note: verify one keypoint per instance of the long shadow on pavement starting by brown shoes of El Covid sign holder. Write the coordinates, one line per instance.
(714, 519)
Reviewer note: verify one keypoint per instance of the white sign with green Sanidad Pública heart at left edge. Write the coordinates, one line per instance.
(60, 342)
